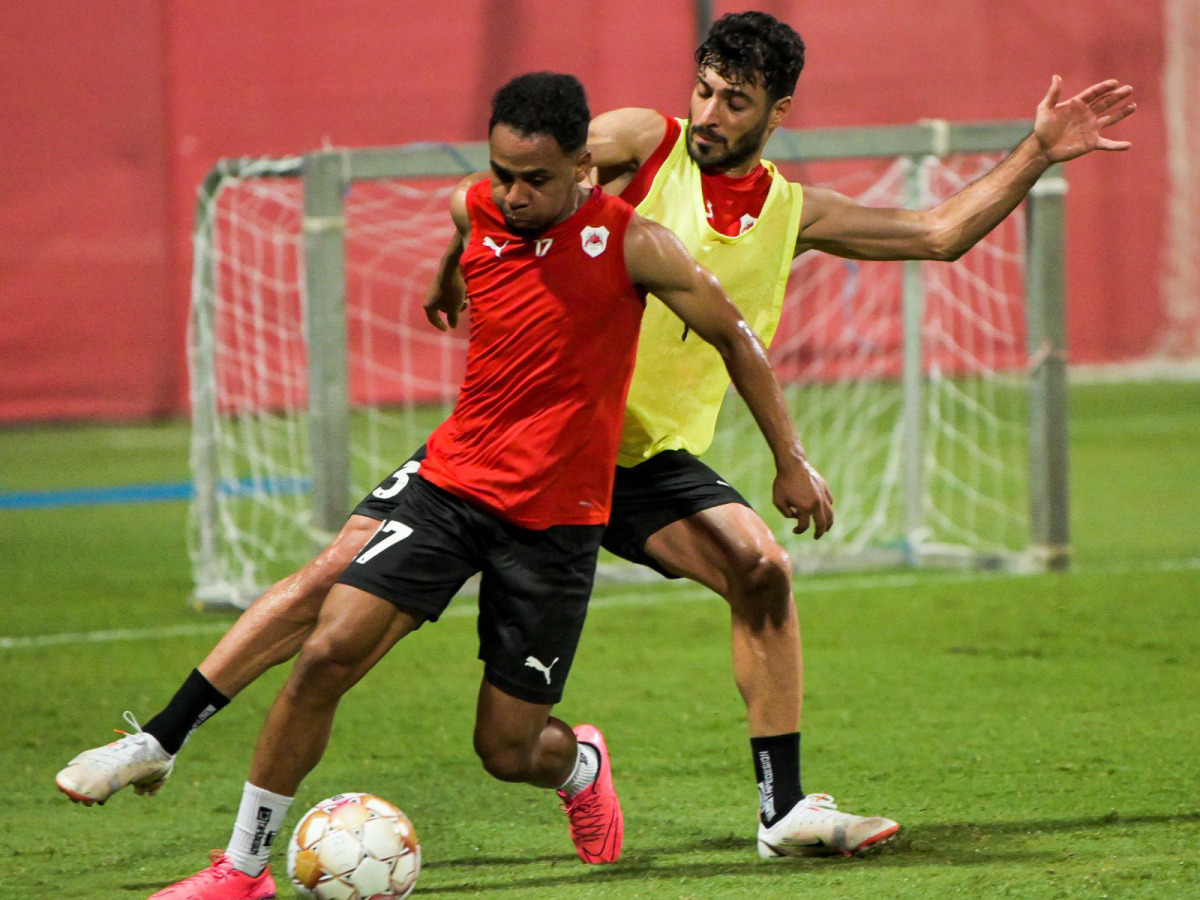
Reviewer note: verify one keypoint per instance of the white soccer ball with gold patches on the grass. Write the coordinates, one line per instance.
(355, 847)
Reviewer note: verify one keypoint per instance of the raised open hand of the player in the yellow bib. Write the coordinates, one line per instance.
(1072, 128)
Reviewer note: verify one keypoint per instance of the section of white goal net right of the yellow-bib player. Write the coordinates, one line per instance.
(841, 352)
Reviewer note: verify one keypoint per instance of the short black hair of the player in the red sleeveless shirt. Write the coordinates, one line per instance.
(544, 104)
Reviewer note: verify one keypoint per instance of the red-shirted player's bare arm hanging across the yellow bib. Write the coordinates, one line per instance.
(658, 262)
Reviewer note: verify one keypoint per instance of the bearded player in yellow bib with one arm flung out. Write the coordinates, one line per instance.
(705, 178)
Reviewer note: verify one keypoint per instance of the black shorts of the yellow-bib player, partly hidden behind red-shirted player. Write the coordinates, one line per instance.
(646, 499)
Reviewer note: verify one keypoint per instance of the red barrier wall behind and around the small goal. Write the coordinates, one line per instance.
(115, 110)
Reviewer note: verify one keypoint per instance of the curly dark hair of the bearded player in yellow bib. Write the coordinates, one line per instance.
(754, 49)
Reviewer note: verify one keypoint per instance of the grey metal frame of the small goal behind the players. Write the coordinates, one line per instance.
(327, 177)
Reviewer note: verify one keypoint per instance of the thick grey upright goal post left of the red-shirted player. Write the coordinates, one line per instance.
(329, 401)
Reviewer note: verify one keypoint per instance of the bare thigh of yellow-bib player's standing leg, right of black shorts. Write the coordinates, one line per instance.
(718, 547)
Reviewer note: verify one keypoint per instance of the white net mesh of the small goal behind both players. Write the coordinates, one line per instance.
(839, 351)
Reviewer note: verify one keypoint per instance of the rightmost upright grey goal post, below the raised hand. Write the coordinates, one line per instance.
(1047, 339)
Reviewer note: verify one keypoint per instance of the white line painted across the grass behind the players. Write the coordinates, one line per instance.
(615, 598)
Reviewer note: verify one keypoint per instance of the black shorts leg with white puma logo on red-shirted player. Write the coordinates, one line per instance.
(533, 602)
